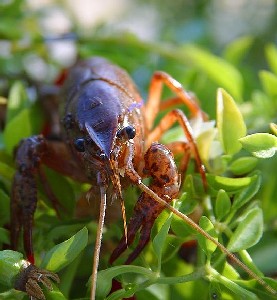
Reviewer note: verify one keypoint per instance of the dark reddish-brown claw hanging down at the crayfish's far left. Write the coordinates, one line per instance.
(24, 191)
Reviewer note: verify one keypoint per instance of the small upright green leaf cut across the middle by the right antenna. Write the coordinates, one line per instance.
(206, 245)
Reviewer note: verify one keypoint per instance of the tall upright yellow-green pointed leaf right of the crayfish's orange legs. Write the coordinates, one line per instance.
(230, 123)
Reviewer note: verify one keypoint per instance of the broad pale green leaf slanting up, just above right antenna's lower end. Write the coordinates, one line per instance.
(248, 232)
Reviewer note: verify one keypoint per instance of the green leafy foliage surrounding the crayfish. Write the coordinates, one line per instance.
(238, 209)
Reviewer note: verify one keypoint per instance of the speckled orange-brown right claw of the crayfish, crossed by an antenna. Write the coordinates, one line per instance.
(160, 165)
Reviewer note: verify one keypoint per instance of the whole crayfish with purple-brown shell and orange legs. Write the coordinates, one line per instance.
(108, 139)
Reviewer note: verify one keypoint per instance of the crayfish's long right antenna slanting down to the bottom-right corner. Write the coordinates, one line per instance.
(189, 221)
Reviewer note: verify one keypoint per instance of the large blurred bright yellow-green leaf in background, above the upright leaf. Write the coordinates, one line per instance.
(223, 73)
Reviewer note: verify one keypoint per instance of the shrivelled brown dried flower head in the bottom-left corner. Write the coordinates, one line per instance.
(30, 277)
